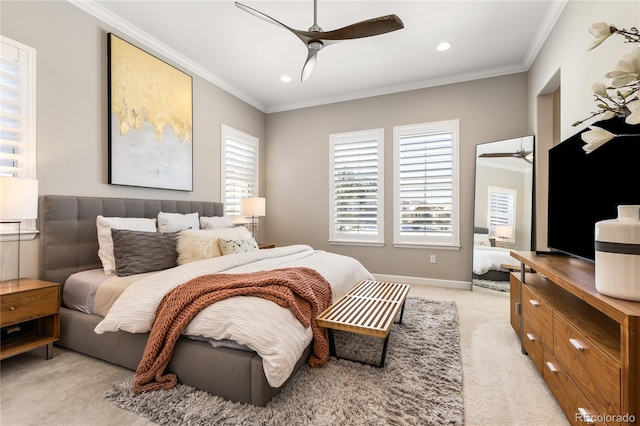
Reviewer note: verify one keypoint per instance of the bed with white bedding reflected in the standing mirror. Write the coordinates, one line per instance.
(488, 259)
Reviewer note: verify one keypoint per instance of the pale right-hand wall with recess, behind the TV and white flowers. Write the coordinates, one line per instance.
(564, 66)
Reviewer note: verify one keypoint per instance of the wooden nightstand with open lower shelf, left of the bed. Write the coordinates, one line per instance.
(30, 316)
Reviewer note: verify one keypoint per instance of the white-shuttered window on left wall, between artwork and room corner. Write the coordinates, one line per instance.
(239, 168)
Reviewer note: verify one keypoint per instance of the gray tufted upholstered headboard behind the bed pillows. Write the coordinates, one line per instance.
(68, 235)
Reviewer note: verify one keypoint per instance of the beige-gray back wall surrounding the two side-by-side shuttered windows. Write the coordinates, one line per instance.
(298, 159)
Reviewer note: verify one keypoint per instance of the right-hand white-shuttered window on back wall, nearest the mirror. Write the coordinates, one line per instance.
(426, 185)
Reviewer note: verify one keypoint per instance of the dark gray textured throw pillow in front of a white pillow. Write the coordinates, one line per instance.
(137, 252)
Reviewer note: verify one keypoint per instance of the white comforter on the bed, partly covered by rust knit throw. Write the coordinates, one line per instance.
(263, 326)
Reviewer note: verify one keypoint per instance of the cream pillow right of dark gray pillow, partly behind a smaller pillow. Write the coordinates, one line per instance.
(203, 243)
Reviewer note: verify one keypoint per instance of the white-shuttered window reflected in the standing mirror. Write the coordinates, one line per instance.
(502, 213)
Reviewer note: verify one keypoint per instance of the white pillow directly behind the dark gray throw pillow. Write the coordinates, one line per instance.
(105, 242)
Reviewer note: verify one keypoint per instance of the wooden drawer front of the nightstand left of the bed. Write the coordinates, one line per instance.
(26, 305)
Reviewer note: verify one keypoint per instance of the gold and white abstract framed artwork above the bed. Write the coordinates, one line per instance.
(150, 120)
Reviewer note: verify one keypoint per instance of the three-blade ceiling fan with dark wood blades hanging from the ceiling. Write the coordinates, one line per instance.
(316, 38)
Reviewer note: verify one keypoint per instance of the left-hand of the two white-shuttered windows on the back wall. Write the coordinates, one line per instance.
(356, 187)
